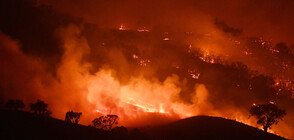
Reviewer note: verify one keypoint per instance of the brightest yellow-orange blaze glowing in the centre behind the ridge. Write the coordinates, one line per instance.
(140, 96)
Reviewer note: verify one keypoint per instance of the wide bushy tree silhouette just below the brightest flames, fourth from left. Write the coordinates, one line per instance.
(106, 122)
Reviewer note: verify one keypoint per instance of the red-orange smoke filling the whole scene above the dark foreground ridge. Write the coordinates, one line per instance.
(151, 61)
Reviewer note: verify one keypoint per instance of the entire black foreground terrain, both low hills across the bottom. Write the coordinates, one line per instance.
(24, 125)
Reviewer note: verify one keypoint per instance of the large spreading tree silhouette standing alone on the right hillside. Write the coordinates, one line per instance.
(267, 114)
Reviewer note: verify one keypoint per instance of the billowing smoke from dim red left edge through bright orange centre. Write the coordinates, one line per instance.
(101, 93)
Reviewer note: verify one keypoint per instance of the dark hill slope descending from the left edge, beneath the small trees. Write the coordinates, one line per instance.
(27, 126)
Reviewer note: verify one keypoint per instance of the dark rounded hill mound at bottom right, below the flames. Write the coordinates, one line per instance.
(209, 128)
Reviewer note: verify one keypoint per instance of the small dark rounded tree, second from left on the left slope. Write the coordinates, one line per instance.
(40, 108)
